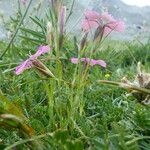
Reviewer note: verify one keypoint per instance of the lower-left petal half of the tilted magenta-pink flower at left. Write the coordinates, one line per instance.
(24, 66)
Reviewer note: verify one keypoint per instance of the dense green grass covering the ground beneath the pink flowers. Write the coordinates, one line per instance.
(109, 119)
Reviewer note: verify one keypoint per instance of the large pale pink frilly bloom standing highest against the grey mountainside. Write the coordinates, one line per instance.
(94, 20)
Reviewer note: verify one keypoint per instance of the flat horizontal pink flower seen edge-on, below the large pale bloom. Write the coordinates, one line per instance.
(91, 62)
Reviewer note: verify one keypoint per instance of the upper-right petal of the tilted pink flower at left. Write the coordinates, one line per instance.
(41, 50)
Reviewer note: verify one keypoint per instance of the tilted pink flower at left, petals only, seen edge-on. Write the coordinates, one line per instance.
(29, 62)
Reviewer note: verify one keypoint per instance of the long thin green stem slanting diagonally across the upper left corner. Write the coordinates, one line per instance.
(17, 29)
